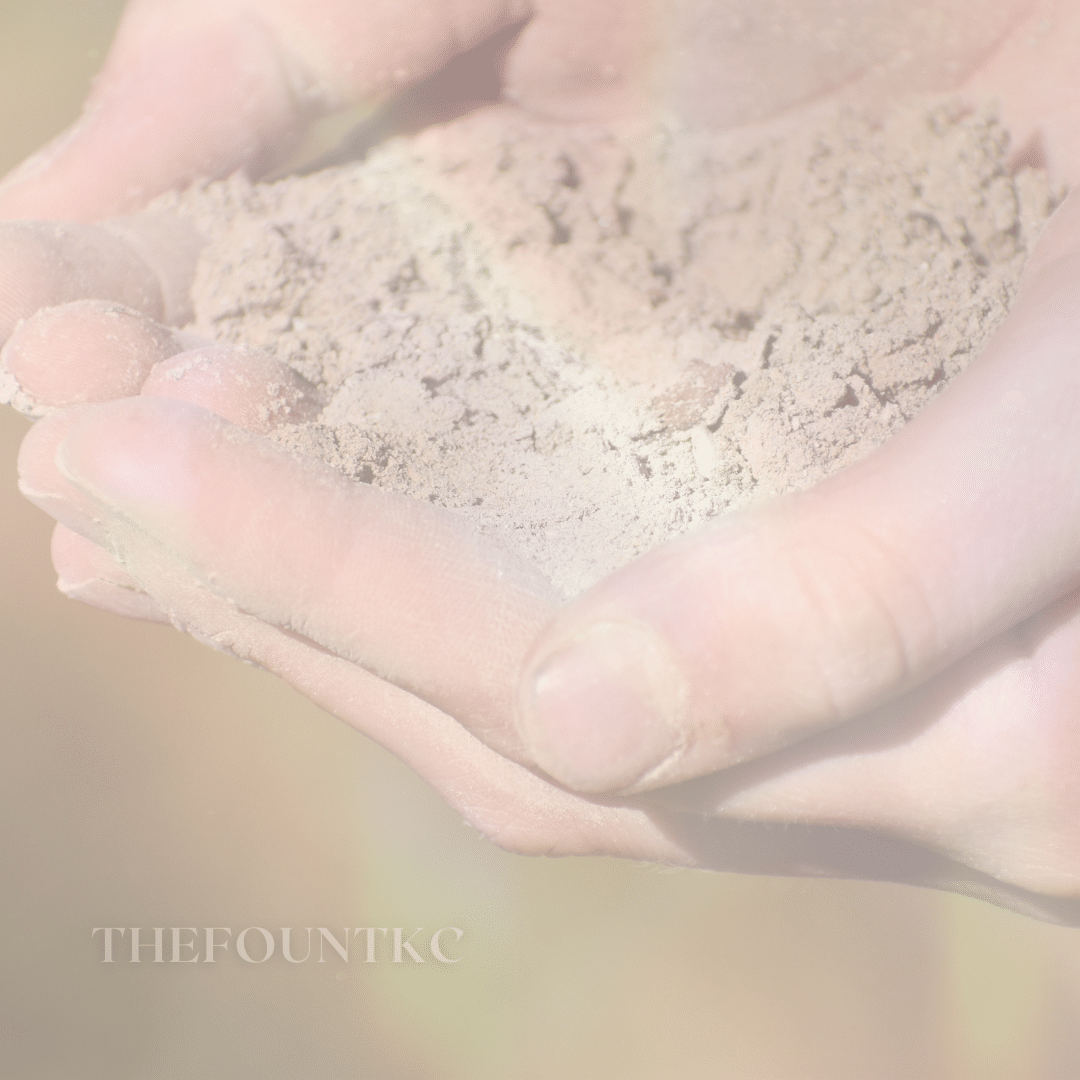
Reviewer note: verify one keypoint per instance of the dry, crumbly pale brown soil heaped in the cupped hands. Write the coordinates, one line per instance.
(590, 342)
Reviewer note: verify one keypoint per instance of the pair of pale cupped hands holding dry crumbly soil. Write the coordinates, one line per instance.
(879, 678)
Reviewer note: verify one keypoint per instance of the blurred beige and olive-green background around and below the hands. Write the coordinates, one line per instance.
(147, 781)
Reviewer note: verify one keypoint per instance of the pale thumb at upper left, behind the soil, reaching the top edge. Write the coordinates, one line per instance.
(205, 88)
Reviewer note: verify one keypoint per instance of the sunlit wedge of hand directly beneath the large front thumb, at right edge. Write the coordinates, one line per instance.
(979, 764)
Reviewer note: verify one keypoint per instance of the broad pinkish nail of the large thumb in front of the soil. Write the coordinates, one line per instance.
(607, 711)
